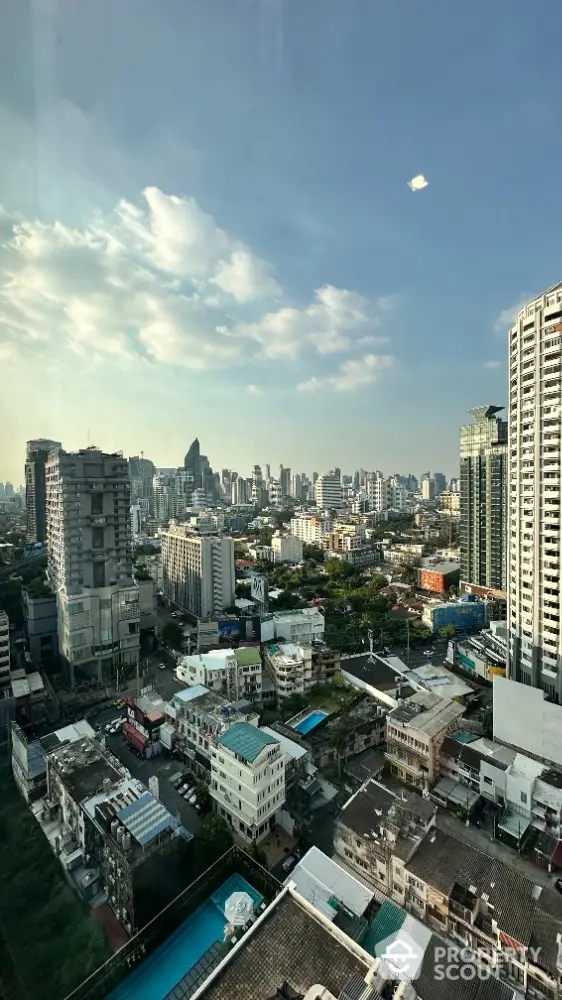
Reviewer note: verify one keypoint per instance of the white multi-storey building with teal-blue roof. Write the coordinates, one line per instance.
(248, 780)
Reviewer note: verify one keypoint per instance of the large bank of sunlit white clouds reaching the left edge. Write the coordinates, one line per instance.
(161, 281)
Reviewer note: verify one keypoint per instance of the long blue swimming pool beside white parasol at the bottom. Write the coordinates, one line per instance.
(154, 978)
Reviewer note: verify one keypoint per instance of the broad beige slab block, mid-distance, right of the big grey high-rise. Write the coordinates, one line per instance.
(198, 571)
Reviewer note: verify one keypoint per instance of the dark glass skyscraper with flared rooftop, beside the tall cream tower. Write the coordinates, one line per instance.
(483, 499)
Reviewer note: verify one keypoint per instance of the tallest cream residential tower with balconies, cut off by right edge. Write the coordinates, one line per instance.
(535, 417)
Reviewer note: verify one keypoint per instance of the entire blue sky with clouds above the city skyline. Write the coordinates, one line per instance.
(206, 227)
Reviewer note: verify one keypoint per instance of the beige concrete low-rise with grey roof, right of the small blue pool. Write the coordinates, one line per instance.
(415, 731)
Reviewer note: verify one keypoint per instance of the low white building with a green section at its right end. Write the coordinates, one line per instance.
(236, 673)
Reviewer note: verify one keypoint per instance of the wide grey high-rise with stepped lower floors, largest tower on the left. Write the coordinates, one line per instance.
(90, 559)
